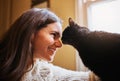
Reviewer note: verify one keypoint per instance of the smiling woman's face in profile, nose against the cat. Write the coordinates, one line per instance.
(46, 41)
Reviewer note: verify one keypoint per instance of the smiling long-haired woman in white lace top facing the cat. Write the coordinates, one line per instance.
(28, 46)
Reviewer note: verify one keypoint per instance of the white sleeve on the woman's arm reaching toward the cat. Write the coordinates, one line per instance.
(62, 74)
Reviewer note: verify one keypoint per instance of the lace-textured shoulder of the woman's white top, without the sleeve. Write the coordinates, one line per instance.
(40, 71)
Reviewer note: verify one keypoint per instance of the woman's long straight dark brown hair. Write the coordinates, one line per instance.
(15, 47)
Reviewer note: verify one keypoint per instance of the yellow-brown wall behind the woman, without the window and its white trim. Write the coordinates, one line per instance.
(10, 10)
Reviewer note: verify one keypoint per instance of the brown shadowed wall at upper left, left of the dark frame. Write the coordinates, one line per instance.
(9, 11)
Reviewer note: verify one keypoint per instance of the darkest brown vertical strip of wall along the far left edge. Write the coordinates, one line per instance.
(4, 15)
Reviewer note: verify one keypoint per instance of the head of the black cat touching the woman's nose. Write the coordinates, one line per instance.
(73, 32)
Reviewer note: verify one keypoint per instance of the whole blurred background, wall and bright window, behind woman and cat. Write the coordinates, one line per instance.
(94, 14)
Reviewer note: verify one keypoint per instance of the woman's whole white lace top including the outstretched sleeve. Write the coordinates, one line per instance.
(44, 71)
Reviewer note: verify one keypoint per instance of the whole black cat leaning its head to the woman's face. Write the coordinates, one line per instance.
(99, 50)
